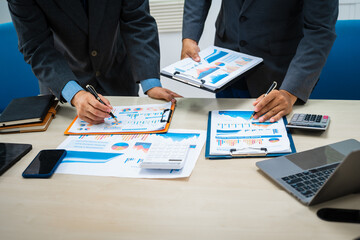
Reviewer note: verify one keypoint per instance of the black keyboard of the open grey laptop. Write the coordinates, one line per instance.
(309, 182)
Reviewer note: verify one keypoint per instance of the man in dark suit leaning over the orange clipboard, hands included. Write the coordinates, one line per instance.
(110, 44)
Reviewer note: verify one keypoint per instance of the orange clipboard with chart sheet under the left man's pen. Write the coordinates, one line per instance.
(151, 118)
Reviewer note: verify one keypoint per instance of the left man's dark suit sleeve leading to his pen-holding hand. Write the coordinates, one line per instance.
(36, 43)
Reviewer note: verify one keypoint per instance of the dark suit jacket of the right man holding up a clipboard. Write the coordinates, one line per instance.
(294, 37)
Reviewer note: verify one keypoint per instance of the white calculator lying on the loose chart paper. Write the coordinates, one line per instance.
(166, 156)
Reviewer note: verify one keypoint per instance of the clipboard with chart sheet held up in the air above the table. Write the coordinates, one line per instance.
(217, 68)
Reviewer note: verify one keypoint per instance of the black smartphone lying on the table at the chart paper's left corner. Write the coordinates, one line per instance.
(44, 164)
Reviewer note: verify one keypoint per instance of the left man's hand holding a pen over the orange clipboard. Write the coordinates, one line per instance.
(89, 108)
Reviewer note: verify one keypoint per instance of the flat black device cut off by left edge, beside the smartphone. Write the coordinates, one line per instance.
(10, 153)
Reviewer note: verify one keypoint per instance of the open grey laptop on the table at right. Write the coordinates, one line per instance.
(319, 174)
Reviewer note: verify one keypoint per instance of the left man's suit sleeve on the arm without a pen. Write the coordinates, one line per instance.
(139, 32)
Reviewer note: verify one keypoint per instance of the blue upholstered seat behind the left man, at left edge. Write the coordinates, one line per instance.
(17, 79)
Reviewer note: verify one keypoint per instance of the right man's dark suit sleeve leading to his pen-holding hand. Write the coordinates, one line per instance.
(319, 35)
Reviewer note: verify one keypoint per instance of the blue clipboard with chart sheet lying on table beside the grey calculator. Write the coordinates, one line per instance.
(231, 134)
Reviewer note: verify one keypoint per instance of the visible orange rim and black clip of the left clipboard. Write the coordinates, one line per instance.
(166, 118)
